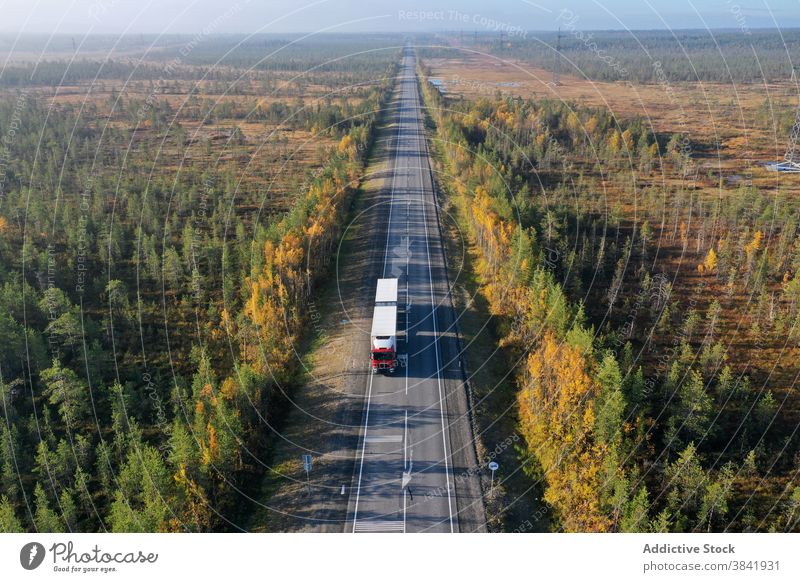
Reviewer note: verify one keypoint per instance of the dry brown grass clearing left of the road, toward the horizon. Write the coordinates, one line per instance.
(272, 160)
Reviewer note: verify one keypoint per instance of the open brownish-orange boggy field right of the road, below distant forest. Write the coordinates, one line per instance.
(743, 125)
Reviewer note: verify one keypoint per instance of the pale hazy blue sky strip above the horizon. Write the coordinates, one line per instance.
(281, 16)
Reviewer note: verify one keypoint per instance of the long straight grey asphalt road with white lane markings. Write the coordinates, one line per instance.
(404, 476)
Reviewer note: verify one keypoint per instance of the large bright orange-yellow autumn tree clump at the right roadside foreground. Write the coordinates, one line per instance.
(556, 406)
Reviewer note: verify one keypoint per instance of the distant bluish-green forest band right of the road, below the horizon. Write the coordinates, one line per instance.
(654, 56)
